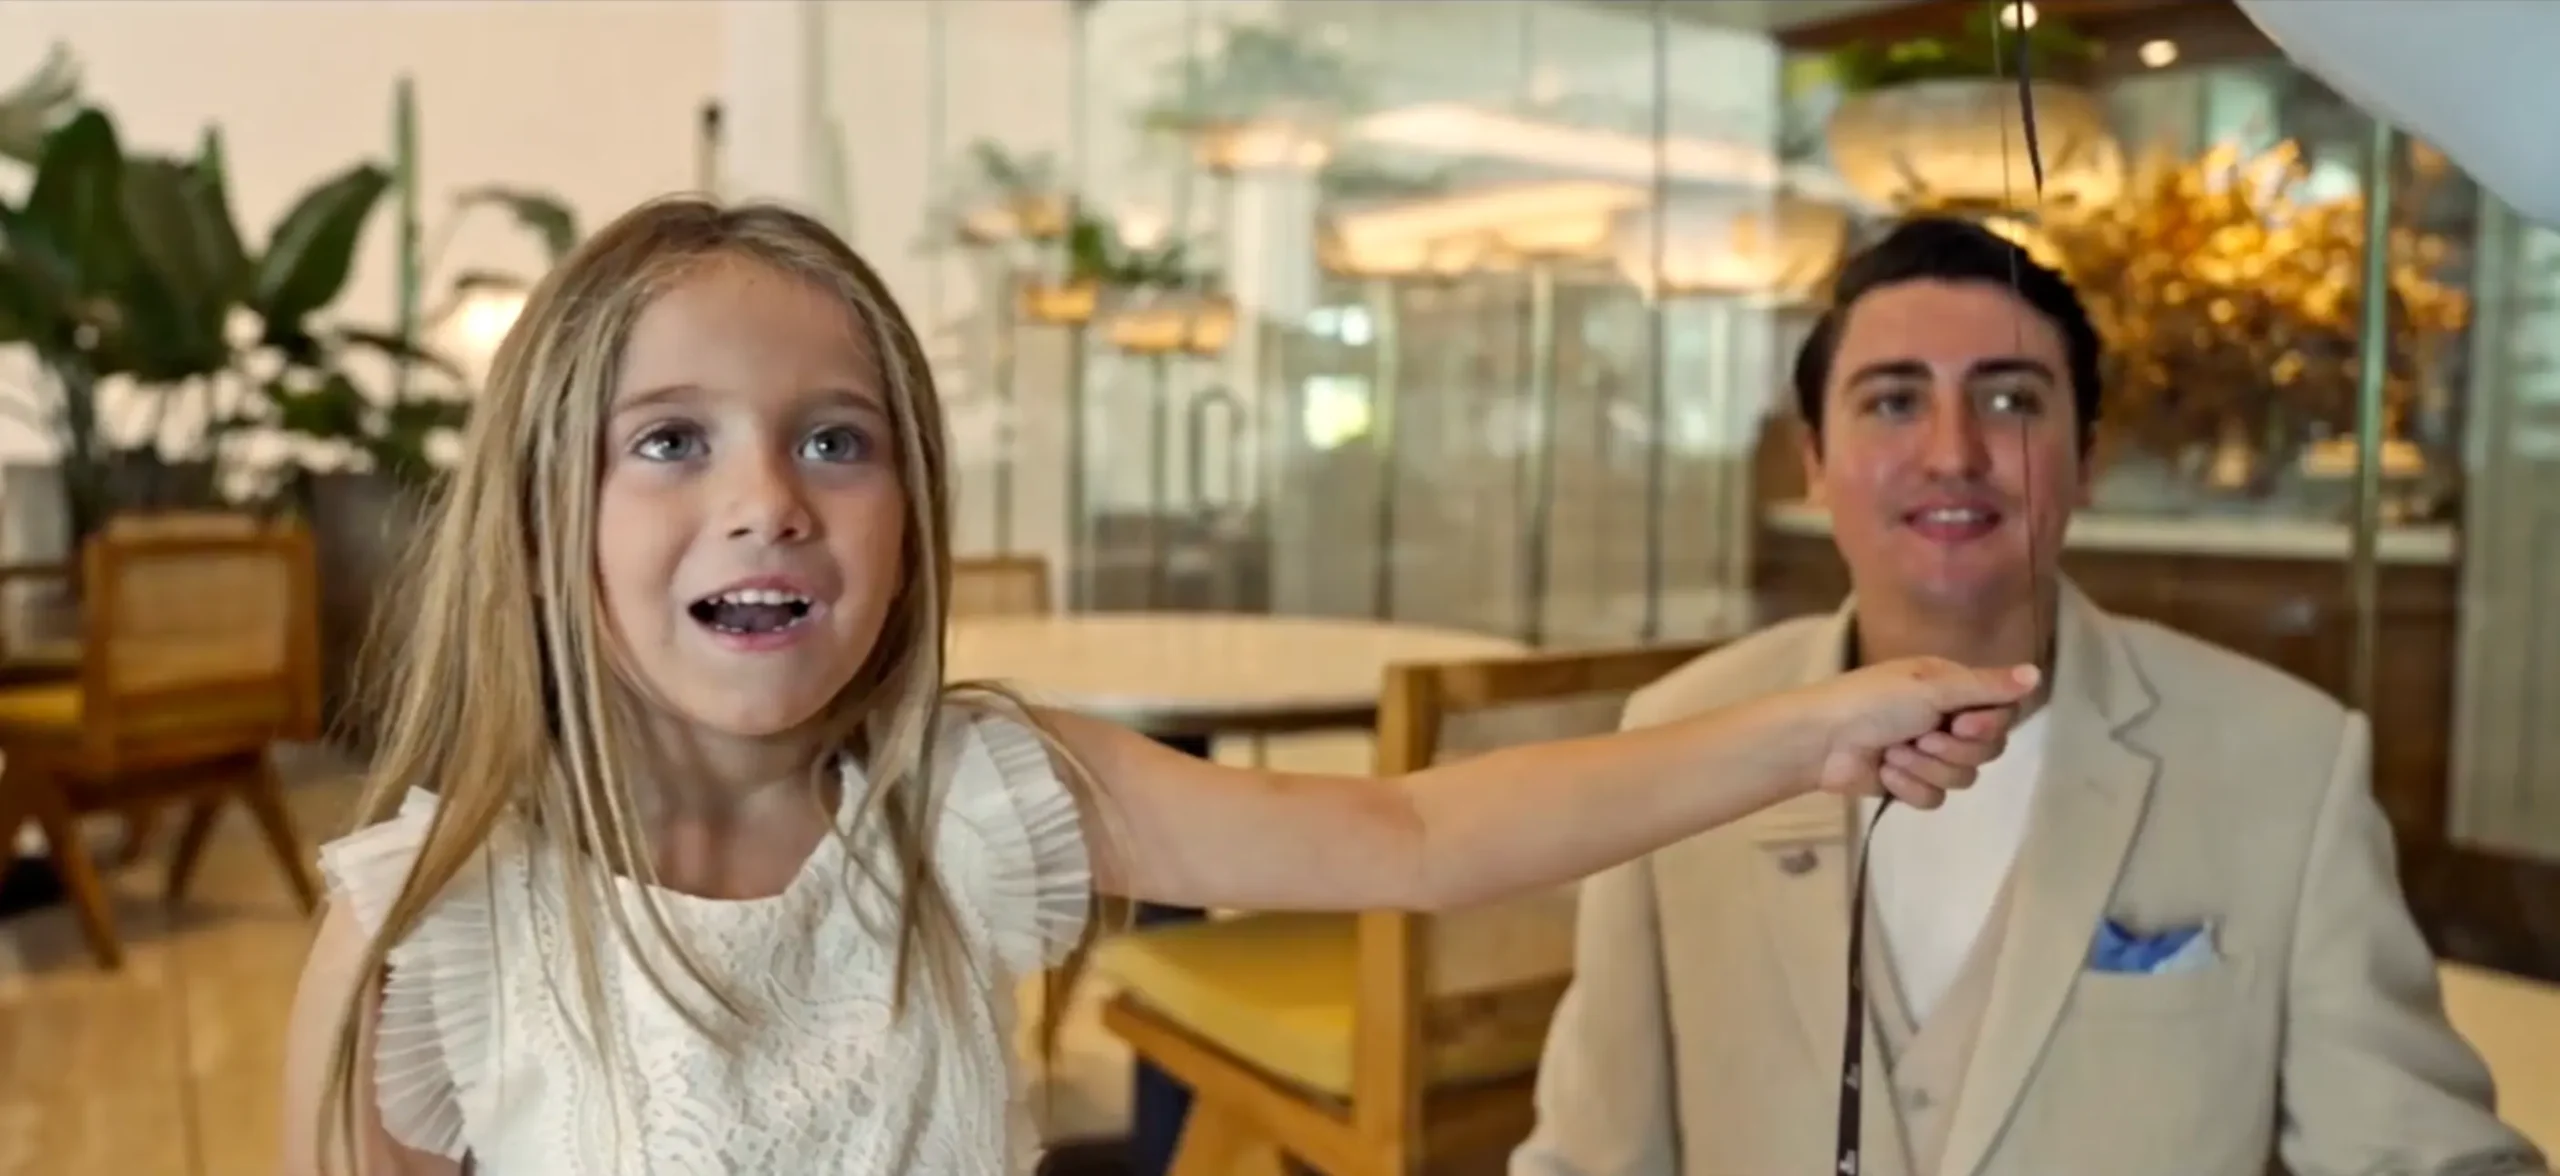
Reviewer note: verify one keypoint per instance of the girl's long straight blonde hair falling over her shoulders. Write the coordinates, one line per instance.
(503, 698)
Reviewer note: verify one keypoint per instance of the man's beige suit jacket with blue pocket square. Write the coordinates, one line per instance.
(2185, 785)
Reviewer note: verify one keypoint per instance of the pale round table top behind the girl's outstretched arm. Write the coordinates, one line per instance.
(1204, 673)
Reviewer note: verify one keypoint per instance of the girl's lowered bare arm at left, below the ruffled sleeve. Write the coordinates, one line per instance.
(311, 1039)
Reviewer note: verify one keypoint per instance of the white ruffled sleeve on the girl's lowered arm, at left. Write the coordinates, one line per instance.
(434, 1024)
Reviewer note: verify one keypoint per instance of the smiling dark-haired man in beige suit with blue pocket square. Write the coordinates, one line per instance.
(2162, 936)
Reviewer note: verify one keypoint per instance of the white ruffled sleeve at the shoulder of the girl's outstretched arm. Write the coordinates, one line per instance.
(1025, 844)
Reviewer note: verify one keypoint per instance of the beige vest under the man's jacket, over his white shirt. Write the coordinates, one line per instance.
(1926, 1062)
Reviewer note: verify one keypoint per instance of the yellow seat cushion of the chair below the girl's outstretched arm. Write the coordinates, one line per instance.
(1279, 990)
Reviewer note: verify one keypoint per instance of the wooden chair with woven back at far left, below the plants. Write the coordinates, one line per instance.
(198, 655)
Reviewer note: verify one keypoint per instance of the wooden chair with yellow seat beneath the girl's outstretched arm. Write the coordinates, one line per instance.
(1384, 1041)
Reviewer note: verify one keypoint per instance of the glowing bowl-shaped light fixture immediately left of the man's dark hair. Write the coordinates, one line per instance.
(1778, 247)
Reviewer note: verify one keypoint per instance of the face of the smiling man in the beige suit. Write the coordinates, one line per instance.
(1949, 450)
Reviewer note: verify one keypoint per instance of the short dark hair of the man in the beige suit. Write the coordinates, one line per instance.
(1949, 250)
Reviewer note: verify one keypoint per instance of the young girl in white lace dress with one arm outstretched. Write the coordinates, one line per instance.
(685, 857)
